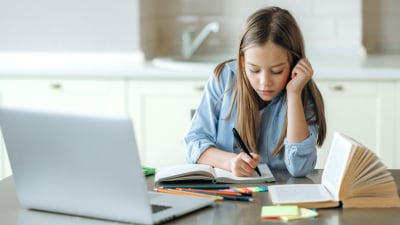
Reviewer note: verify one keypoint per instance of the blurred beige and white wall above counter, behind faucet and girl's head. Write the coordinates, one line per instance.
(329, 27)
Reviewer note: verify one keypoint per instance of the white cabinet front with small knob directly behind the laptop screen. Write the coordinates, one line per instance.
(78, 95)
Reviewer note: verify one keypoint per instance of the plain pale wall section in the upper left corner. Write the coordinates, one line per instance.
(69, 26)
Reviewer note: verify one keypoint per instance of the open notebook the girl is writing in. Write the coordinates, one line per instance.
(201, 172)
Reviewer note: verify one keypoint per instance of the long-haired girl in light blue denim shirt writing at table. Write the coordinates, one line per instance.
(268, 95)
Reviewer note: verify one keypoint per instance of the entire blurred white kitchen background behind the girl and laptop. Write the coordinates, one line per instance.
(125, 56)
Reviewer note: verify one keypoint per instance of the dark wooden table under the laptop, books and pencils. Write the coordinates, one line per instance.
(224, 212)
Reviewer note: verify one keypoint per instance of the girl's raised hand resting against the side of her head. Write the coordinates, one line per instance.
(301, 74)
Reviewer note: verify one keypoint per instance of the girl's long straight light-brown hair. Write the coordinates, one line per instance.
(279, 26)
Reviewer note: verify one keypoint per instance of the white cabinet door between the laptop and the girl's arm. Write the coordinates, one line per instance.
(161, 112)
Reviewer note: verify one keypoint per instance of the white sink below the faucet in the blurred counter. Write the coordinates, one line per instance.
(196, 62)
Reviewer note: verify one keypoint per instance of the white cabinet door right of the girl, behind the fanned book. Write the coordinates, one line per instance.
(362, 110)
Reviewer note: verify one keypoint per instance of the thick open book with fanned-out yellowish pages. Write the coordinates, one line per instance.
(353, 175)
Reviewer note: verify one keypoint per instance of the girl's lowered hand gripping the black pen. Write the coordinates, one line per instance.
(243, 165)
